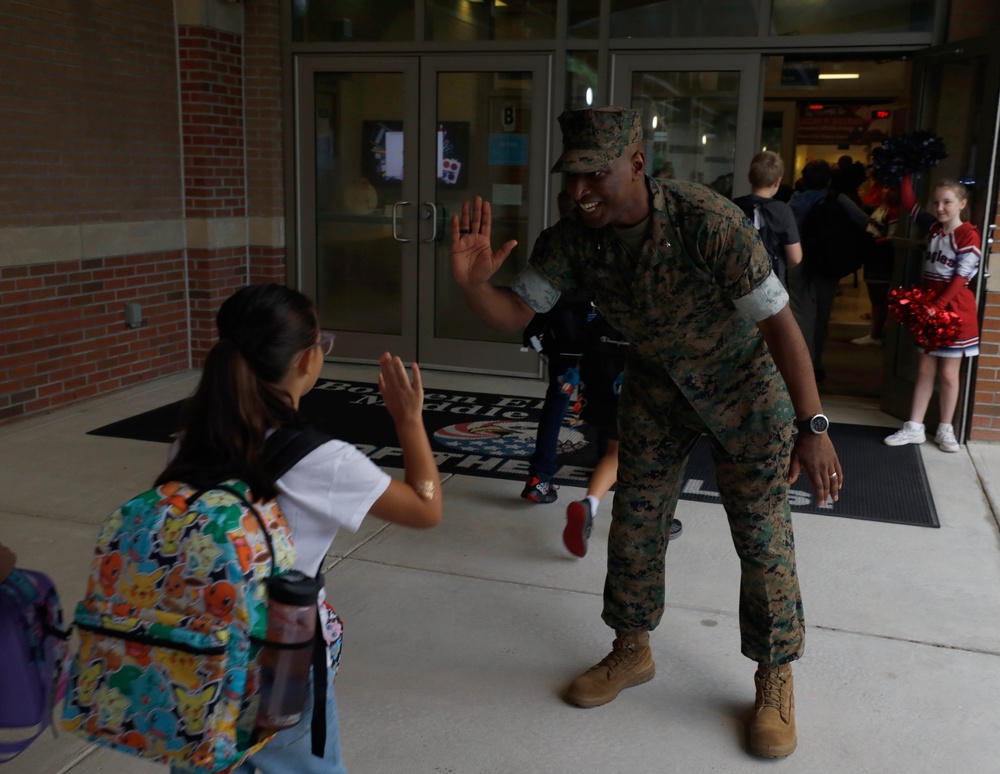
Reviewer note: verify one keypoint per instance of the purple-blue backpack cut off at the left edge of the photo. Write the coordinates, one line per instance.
(35, 650)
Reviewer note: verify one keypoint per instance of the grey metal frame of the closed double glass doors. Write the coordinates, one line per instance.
(418, 255)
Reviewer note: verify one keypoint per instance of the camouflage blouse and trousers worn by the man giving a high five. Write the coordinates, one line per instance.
(696, 365)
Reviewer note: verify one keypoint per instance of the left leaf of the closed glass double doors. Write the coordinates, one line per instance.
(357, 227)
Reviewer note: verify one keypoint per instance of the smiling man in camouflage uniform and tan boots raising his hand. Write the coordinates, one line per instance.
(679, 271)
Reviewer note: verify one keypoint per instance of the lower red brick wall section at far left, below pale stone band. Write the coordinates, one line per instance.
(64, 338)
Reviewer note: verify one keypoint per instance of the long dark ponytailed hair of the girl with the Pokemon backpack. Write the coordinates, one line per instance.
(262, 330)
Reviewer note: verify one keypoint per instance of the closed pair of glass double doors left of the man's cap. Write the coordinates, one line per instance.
(389, 149)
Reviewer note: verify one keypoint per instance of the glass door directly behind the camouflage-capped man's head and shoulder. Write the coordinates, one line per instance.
(699, 112)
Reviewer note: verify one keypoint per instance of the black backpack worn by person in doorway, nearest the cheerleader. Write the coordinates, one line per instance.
(833, 246)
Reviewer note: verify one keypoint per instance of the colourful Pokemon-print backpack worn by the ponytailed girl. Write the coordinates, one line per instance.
(173, 618)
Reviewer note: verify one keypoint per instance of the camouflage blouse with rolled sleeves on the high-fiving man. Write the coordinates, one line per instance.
(676, 303)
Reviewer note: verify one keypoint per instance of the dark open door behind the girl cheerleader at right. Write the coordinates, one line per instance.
(949, 84)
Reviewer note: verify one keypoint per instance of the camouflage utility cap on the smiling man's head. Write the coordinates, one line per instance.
(594, 138)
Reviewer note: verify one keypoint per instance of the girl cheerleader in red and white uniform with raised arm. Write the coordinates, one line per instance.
(952, 260)
